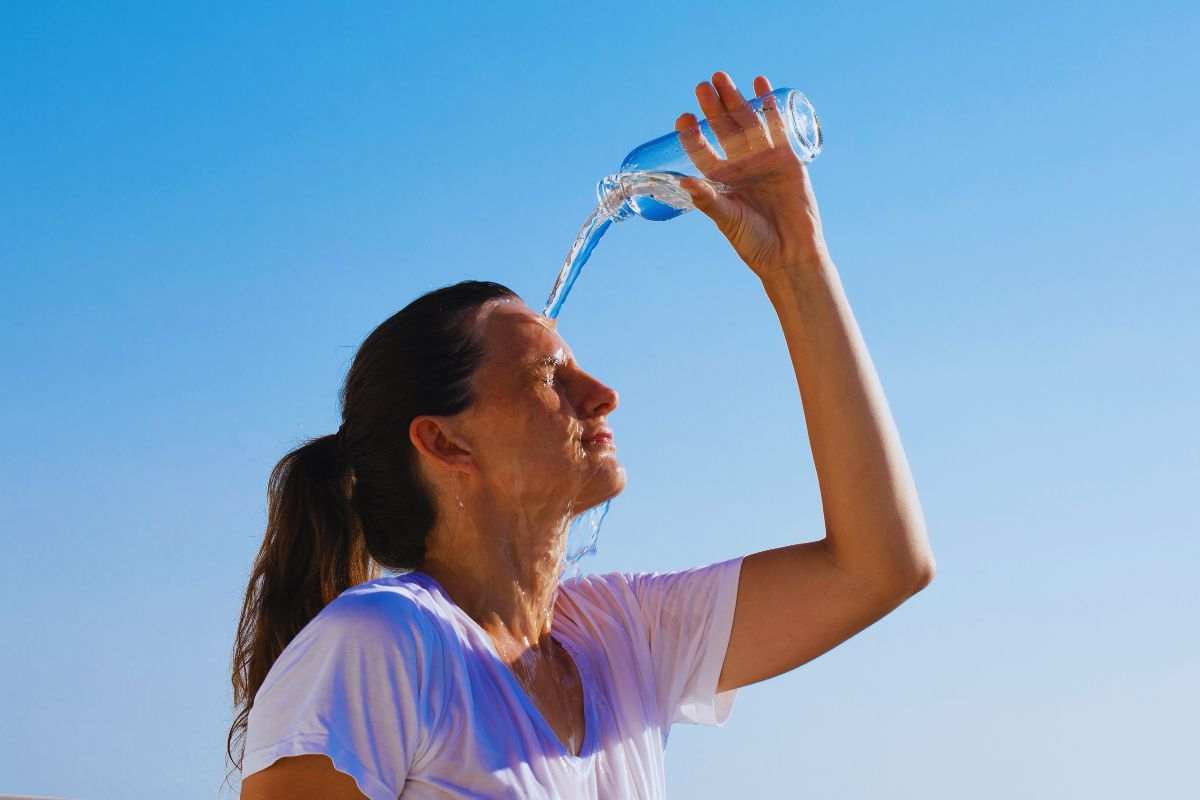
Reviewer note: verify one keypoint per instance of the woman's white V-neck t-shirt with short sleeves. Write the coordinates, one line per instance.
(406, 694)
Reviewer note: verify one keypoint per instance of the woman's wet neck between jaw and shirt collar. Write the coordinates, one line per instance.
(502, 568)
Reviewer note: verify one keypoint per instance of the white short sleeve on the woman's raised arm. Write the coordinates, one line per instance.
(689, 617)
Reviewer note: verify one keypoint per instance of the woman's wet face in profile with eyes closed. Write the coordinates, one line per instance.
(535, 412)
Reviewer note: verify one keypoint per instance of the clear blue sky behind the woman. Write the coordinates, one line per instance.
(206, 208)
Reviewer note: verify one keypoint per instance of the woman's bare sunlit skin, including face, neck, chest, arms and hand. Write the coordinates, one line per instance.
(517, 466)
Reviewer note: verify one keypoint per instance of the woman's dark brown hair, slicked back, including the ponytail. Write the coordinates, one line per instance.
(340, 507)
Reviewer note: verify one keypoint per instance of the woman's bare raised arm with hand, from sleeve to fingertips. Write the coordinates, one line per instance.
(800, 601)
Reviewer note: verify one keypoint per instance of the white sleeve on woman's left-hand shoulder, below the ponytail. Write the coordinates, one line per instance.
(351, 685)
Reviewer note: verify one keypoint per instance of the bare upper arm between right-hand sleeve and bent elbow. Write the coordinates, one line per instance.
(795, 604)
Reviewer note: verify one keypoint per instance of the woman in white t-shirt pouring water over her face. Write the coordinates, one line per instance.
(471, 438)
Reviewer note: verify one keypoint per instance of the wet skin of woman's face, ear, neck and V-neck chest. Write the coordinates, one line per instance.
(514, 471)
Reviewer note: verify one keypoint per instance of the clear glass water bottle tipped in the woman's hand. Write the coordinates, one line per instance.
(647, 183)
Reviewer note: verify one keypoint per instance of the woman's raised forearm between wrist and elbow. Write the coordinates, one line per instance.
(874, 524)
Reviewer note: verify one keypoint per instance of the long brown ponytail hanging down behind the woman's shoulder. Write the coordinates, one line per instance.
(313, 552)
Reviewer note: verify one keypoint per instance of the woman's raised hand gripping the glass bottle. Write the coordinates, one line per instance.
(771, 216)
